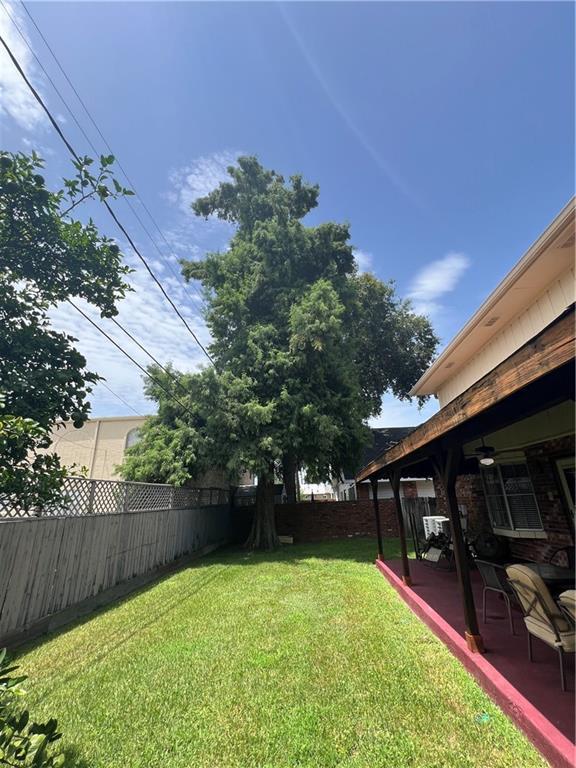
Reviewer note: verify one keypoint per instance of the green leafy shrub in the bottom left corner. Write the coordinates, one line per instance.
(23, 742)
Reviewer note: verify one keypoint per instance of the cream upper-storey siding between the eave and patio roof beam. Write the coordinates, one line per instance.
(559, 295)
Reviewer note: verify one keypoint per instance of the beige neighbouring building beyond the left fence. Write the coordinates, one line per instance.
(98, 446)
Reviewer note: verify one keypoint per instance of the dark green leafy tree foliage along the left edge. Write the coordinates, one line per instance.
(46, 257)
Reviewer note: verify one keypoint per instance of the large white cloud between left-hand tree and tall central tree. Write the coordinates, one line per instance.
(145, 312)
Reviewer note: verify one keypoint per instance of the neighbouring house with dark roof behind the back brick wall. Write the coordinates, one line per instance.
(383, 438)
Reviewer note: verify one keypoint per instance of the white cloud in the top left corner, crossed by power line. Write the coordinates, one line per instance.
(16, 100)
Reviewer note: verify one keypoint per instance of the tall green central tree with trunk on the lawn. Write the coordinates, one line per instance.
(304, 346)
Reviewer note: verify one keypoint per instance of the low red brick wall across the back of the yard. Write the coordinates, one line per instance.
(316, 521)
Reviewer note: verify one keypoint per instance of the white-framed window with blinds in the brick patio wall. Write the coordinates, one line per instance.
(511, 501)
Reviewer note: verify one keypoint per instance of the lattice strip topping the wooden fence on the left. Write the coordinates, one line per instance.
(104, 497)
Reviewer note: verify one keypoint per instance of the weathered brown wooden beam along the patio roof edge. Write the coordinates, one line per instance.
(551, 349)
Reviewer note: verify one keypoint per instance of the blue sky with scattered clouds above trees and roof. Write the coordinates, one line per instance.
(443, 132)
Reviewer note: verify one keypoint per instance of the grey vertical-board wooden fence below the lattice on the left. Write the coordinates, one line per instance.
(53, 569)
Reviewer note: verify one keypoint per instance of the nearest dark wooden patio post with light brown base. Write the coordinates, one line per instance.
(446, 467)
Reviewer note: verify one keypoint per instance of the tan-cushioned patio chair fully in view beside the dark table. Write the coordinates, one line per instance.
(542, 616)
